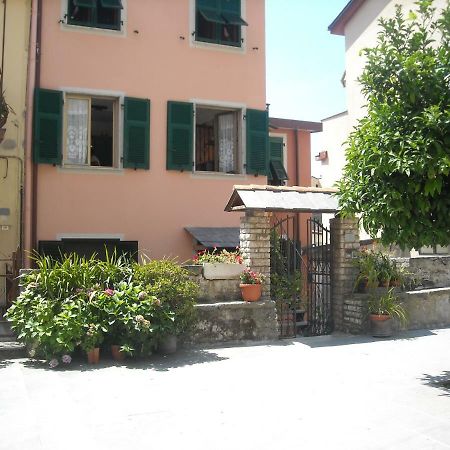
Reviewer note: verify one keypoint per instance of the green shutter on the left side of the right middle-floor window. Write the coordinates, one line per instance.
(180, 135)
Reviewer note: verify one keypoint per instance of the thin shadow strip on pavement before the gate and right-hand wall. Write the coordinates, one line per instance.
(333, 340)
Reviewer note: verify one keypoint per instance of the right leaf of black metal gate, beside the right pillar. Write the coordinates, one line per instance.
(318, 256)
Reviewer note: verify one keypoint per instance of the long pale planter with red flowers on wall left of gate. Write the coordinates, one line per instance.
(220, 265)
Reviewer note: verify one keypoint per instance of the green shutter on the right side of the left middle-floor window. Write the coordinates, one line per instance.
(136, 147)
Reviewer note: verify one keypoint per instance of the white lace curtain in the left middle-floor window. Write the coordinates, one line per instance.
(77, 131)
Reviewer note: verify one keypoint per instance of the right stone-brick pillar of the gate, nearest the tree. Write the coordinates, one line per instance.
(344, 248)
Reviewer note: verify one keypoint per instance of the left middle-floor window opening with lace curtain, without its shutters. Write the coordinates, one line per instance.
(90, 137)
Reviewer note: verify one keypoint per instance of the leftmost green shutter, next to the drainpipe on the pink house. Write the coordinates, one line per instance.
(48, 115)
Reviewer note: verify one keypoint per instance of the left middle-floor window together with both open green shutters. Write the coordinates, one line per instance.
(83, 131)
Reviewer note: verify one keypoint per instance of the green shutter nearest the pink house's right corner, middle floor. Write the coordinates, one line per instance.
(257, 141)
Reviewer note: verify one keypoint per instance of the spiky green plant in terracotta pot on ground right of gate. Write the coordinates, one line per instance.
(382, 310)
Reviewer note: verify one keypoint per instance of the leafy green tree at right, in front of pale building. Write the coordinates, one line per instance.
(398, 156)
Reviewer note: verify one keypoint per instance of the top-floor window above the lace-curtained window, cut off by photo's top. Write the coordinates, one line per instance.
(95, 13)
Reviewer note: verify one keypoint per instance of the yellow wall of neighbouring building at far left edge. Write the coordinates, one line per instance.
(12, 148)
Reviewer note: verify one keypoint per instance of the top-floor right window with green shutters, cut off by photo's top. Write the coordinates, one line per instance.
(219, 22)
